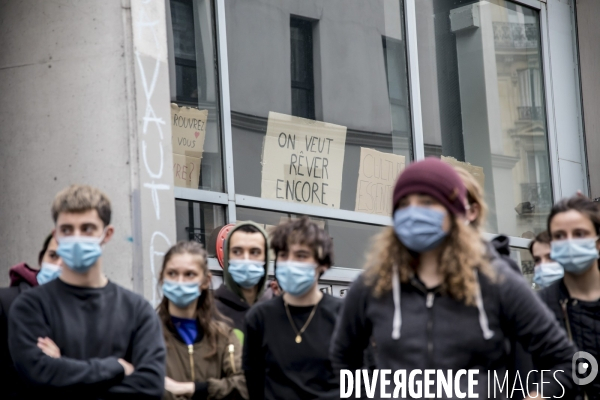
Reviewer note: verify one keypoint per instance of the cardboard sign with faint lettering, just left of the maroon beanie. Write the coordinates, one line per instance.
(377, 177)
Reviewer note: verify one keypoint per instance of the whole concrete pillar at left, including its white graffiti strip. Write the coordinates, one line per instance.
(86, 100)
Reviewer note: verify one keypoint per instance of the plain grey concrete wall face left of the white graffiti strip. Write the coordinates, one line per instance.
(63, 120)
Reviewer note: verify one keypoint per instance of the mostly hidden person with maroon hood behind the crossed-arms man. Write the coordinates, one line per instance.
(23, 277)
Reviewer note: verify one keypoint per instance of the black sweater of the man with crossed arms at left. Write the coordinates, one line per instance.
(92, 328)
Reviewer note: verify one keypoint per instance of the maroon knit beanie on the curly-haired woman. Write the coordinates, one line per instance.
(436, 178)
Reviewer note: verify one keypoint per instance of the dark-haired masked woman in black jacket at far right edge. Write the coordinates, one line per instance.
(574, 227)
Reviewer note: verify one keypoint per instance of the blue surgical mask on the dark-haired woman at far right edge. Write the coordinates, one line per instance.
(575, 255)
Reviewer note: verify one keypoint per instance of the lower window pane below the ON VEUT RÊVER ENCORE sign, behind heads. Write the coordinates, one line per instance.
(350, 240)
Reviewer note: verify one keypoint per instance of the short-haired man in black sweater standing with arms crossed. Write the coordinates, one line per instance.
(82, 336)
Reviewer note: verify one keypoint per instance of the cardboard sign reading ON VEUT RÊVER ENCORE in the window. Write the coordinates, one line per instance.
(303, 161)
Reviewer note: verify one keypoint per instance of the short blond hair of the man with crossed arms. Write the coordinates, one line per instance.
(81, 198)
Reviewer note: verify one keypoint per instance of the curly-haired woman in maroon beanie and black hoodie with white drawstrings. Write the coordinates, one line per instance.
(432, 300)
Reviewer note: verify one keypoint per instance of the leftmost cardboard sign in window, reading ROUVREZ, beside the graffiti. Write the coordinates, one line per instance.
(188, 127)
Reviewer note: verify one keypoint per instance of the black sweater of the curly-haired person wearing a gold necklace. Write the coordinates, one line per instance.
(277, 367)
